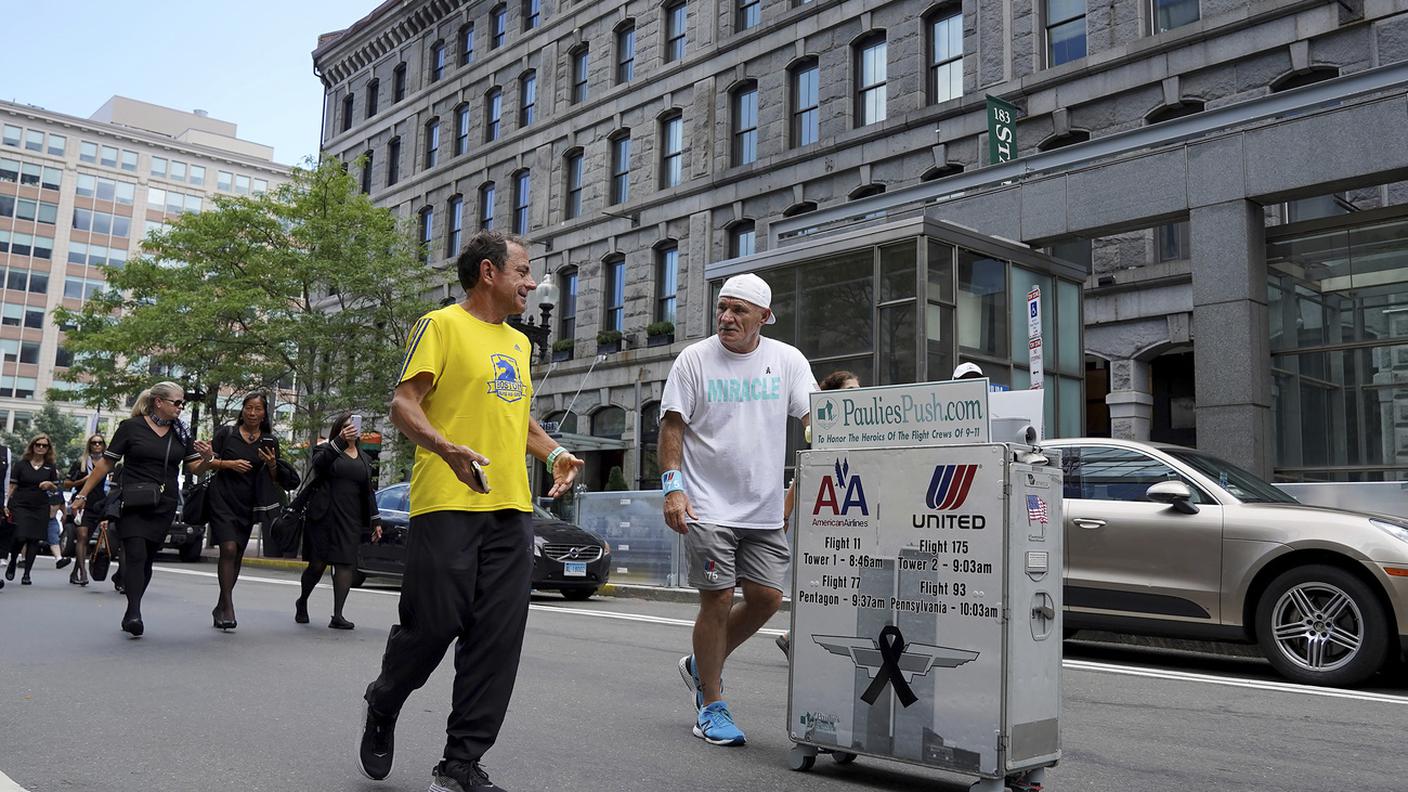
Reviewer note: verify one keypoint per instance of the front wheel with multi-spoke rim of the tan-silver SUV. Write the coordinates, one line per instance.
(1323, 626)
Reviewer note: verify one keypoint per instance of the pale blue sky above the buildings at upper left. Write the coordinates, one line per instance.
(244, 63)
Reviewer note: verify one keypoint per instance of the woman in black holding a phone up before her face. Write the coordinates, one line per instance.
(341, 508)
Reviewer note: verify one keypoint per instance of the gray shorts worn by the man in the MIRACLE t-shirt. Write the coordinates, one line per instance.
(722, 556)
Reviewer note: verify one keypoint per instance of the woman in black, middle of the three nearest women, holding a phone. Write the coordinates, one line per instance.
(247, 490)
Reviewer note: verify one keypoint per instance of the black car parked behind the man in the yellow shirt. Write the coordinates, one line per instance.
(565, 557)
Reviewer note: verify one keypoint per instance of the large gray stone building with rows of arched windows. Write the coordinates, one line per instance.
(1226, 174)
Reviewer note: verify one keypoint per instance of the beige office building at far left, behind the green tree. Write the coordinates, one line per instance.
(77, 194)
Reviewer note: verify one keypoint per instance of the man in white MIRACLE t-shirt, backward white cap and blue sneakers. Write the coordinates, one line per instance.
(723, 447)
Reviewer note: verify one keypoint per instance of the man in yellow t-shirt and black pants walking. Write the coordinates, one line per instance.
(464, 400)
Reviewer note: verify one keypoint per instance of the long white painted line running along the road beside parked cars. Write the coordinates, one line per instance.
(1072, 664)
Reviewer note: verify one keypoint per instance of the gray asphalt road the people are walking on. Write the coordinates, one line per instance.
(275, 705)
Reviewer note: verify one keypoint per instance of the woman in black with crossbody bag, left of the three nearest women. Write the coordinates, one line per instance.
(153, 445)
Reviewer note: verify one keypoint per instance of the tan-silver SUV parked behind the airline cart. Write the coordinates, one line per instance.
(1174, 542)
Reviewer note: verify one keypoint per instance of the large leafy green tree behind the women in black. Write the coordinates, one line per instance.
(308, 292)
